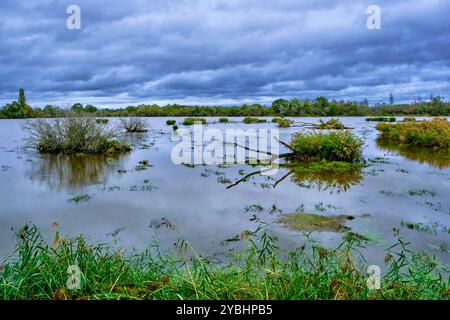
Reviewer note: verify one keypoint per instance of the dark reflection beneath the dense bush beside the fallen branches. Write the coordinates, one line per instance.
(327, 179)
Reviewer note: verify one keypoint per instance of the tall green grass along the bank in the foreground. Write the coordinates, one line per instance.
(260, 271)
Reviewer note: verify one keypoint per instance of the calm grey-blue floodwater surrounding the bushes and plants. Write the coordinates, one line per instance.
(122, 199)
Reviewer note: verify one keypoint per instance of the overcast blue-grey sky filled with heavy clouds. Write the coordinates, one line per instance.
(222, 52)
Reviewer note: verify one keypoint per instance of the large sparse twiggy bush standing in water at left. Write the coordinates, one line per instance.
(74, 135)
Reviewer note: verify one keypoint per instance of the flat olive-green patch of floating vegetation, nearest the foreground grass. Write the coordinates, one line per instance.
(300, 221)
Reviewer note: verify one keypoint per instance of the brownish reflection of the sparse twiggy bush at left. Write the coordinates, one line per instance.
(72, 171)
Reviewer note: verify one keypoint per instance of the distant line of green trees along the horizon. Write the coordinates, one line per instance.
(320, 107)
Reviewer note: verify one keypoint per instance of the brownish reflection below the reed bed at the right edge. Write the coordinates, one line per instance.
(429, 156)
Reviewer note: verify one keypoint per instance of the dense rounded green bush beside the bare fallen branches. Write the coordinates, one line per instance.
(333, 146)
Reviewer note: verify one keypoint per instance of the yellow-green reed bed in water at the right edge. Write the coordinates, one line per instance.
(426, 134)
